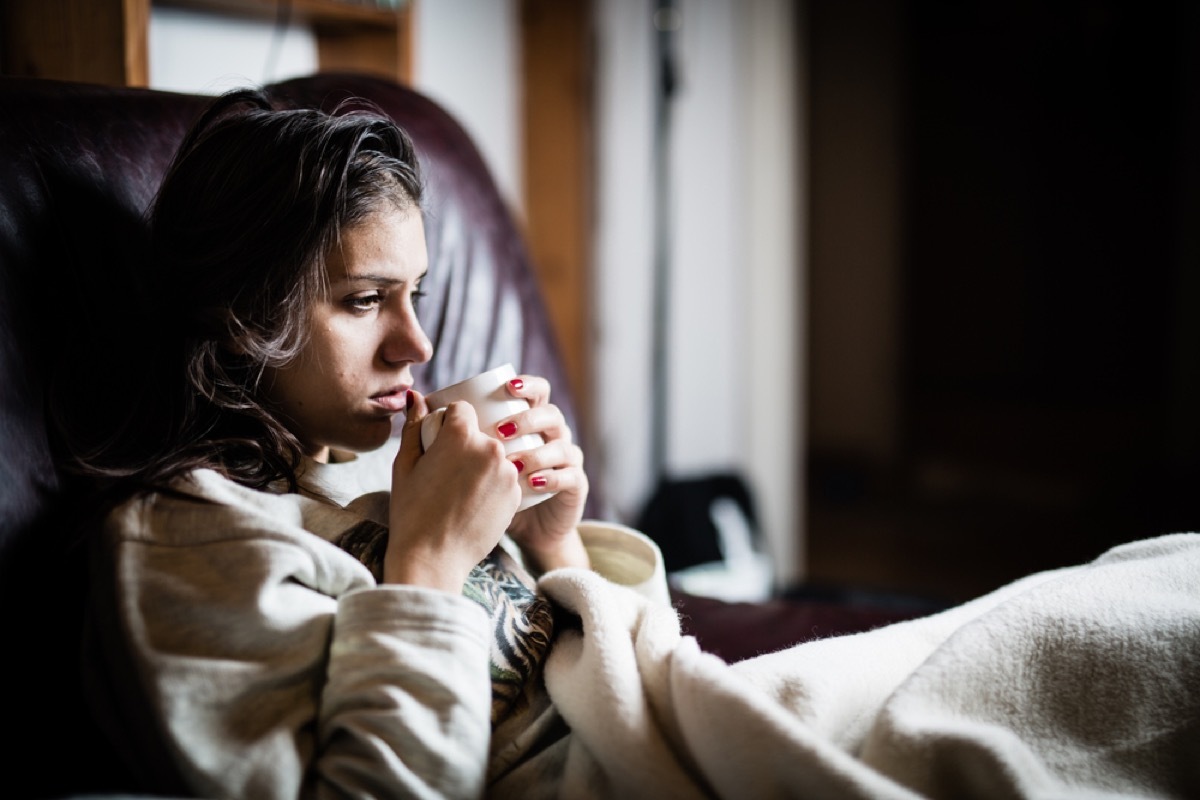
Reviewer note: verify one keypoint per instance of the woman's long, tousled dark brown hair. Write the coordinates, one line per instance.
(254, 203)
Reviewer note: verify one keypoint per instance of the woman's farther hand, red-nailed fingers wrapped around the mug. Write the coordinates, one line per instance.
(548, 533)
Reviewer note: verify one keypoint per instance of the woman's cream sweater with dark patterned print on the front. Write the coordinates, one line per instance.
(245, 649)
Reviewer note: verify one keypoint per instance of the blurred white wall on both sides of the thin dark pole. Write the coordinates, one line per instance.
(735, 371)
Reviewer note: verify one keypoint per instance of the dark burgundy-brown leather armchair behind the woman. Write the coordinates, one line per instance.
(79, 166)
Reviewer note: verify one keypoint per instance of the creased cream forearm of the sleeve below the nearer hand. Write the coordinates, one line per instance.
(407, 708)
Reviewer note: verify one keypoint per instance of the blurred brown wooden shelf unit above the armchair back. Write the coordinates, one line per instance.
(106, 41)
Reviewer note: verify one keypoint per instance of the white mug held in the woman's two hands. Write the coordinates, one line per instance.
(488, 395)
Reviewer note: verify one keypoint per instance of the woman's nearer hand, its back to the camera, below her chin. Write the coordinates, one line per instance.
(451, 506)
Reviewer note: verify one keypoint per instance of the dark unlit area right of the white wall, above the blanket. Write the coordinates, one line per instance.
(1040, 298)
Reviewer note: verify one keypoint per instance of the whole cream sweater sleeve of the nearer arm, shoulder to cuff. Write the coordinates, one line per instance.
(274, 667)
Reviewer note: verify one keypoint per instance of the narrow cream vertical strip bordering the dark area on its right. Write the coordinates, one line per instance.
(776, 236)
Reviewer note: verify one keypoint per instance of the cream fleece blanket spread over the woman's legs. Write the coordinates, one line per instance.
(1077, 683)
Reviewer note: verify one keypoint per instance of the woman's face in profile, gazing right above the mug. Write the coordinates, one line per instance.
(353, 375)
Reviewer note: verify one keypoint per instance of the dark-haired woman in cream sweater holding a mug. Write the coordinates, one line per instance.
(279, 613)
